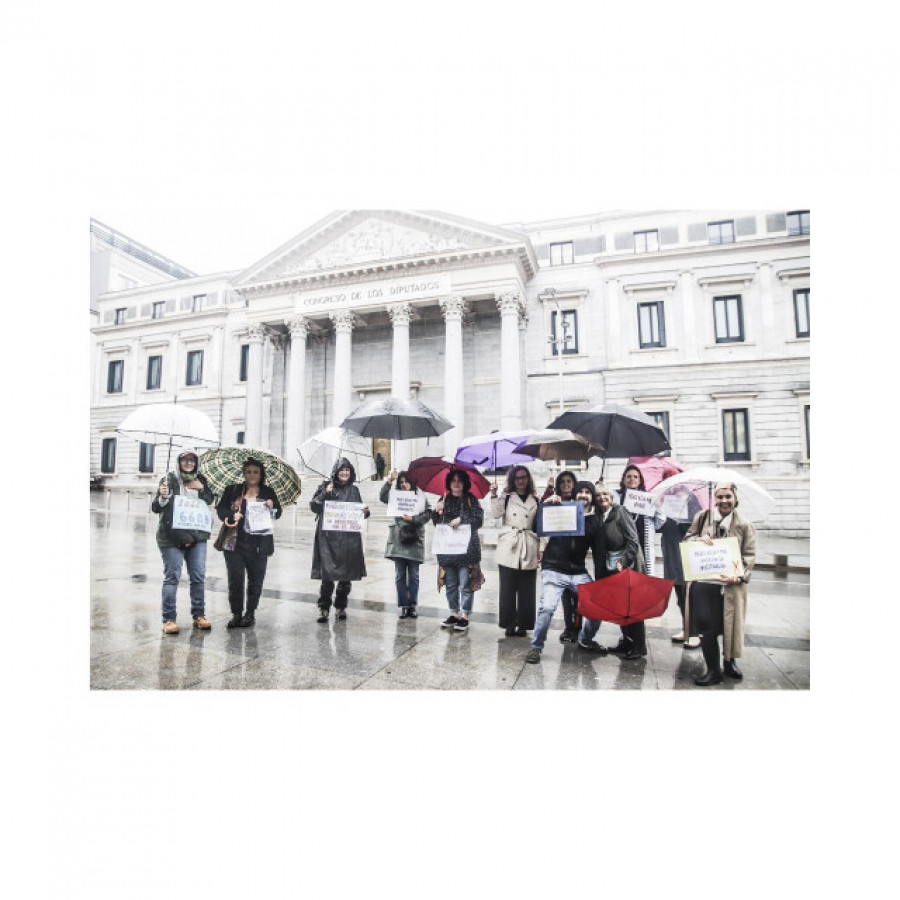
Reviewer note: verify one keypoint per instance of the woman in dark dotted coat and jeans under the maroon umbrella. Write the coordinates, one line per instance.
(459, 506)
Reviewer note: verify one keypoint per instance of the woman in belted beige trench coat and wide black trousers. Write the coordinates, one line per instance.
(517, 550)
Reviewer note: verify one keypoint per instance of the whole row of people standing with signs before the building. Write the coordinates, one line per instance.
(616, 538)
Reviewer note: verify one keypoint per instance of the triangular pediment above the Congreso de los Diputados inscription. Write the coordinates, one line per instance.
(369, 238)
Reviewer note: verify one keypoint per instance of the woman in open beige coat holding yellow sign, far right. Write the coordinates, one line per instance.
(719, 606)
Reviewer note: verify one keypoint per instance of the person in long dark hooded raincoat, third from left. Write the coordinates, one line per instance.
(337, 555)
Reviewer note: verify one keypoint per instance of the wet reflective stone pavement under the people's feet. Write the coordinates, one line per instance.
(373, 649)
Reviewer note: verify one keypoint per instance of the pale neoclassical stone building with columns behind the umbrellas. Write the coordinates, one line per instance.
(701, 319)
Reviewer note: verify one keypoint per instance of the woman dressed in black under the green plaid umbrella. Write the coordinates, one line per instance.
(247, 553)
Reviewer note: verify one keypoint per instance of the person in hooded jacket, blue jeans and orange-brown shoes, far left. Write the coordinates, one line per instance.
(179, 546)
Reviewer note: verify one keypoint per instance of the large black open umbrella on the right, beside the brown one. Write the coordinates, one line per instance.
(621, 431)
